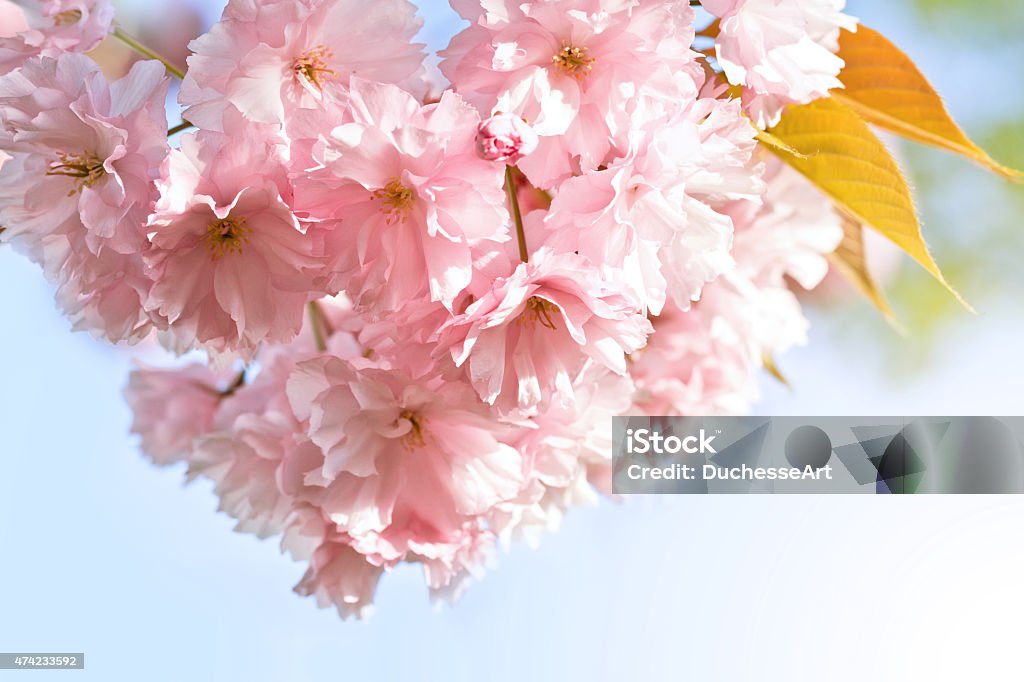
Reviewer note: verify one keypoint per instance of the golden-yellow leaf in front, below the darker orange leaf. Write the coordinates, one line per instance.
(852, 166)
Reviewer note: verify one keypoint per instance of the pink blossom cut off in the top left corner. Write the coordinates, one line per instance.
(50, 28)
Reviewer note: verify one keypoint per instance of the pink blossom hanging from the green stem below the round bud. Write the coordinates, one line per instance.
(527, 340)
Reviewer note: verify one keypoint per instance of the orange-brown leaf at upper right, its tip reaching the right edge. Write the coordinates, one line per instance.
(887, 90)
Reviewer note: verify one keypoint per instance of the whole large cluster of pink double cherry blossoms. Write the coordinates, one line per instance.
(419, 299)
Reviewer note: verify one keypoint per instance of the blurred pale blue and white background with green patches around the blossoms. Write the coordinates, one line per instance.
(102, 553)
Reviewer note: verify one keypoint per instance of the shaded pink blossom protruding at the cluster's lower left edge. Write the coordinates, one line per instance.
(173, 408)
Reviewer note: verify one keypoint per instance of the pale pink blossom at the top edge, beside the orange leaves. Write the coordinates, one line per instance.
(782, 52)
